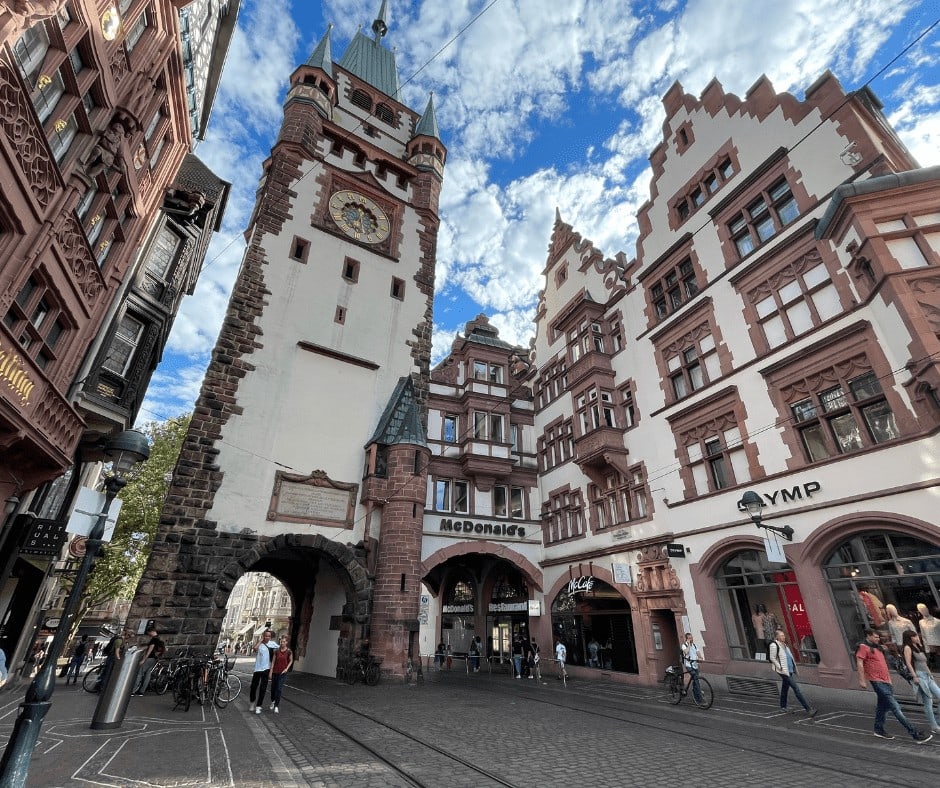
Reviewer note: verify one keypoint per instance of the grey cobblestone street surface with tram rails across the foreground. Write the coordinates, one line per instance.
(456, 730)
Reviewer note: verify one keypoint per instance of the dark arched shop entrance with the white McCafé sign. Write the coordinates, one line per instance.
(595, 623)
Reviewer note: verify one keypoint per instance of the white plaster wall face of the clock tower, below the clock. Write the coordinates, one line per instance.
(303, 411)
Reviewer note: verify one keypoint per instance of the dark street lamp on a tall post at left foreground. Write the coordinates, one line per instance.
(125, 450)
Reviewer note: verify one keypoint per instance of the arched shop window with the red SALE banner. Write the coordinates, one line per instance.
(756, 599)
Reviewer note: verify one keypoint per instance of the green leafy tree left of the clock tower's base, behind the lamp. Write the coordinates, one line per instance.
(122, 561)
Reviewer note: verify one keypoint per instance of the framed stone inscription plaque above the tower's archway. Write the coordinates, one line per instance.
(314, 499)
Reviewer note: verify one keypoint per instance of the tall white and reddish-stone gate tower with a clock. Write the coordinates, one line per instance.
(315, 397)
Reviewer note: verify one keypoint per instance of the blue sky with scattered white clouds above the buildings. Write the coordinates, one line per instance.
(542, 105)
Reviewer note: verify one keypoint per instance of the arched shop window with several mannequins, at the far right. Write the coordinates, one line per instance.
(889, 582)
